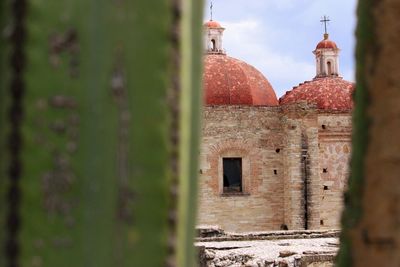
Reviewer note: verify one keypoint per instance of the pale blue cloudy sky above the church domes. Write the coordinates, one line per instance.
(278, 36)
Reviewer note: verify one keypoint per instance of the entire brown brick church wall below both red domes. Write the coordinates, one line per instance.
(298, 143)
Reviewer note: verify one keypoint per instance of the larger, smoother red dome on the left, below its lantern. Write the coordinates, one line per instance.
(229, 81)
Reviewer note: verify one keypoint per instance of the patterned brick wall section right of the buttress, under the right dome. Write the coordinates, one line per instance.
(334, 150)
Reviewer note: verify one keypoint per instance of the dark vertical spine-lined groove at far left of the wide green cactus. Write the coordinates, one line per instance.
(12, 119)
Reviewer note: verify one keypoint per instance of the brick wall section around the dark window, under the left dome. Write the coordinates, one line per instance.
(253, 133)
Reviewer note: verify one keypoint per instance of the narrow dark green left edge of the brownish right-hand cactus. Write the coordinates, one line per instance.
(353, 208)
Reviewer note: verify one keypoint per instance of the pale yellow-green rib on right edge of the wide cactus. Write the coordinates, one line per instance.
(191, 101)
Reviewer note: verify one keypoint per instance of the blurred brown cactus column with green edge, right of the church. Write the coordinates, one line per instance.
(371, 220)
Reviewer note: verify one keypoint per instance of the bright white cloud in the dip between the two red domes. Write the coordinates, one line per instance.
(244, 40)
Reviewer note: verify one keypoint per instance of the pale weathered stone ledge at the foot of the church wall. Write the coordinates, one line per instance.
(318, 252)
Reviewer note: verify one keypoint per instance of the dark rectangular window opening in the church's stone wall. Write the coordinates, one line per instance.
(232, 175)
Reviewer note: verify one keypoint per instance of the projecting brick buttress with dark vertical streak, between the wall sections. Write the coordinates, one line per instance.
(301, 165)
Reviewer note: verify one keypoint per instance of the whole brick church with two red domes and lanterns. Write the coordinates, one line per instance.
(269, 164)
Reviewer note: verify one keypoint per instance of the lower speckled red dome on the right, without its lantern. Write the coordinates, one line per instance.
(329, 93)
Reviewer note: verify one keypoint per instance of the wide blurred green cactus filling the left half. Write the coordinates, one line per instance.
(109, 134)
